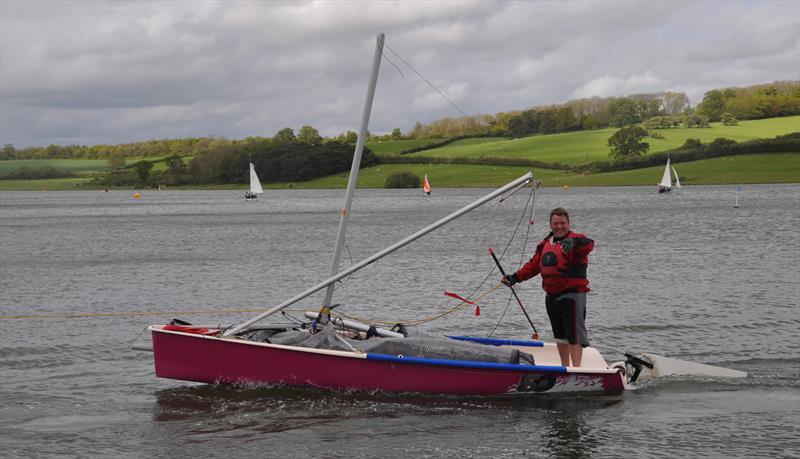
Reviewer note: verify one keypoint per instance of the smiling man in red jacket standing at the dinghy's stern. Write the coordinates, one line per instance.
(561, 258)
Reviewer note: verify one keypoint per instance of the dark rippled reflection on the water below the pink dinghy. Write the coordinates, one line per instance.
(554, 423)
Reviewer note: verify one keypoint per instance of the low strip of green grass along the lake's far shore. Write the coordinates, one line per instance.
(762, 168)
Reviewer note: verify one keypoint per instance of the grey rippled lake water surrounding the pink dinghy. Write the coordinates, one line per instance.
(685, 275)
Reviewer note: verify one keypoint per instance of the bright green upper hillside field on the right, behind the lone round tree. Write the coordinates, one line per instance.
(585, 146)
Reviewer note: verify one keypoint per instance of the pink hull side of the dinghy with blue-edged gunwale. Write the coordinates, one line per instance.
(209, 359)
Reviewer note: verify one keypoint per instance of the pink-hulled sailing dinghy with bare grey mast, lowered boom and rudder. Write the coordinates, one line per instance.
(323, 352)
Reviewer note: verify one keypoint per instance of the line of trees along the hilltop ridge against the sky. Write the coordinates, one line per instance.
(665, 109)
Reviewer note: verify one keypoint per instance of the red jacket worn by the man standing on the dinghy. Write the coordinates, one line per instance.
(560, 272)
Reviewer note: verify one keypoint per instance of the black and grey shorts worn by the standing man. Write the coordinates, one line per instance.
(567, 314)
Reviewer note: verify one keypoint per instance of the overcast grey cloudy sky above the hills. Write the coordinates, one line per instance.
(111, 72)
